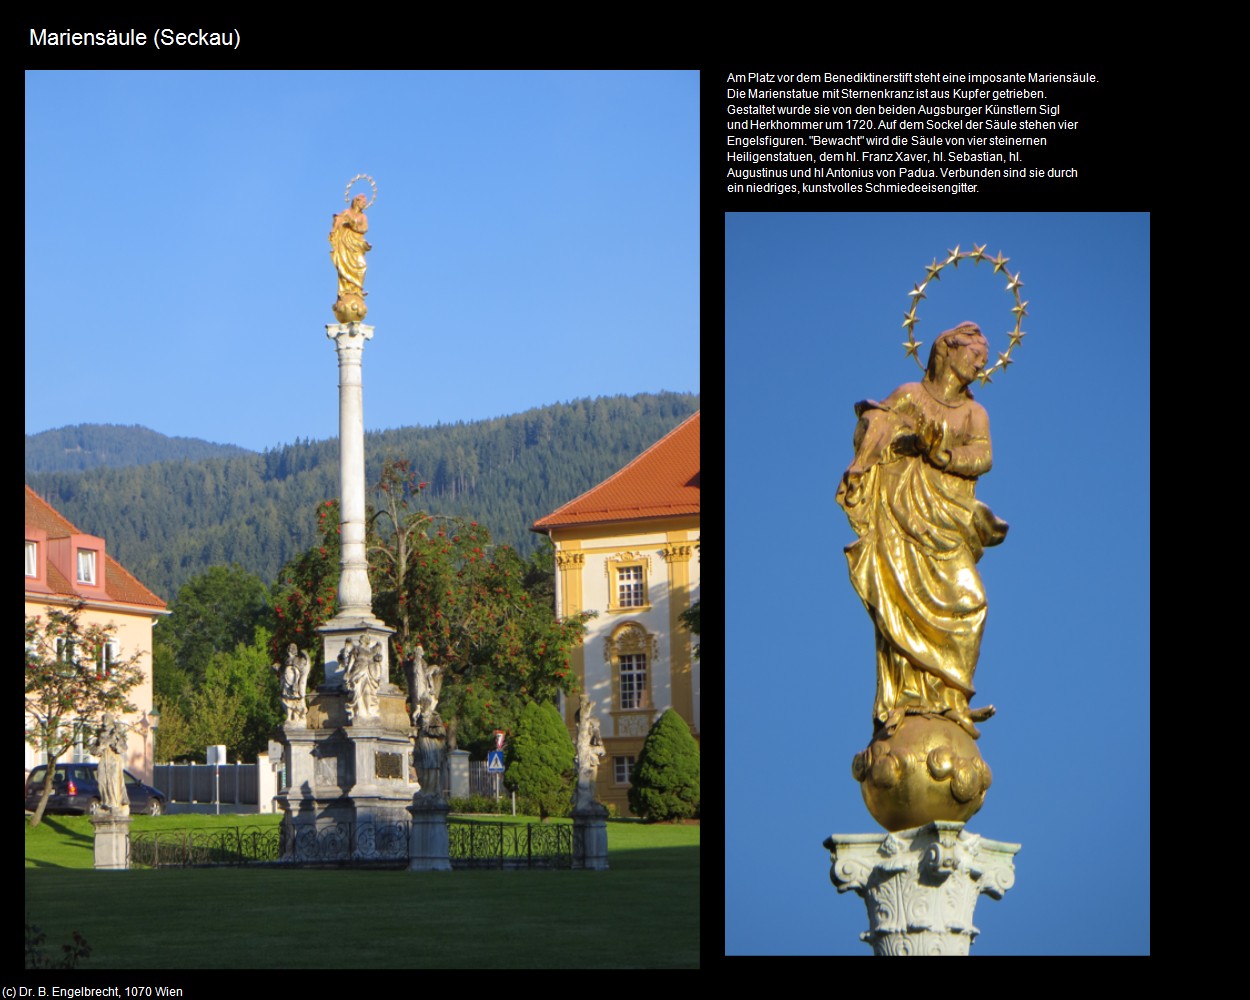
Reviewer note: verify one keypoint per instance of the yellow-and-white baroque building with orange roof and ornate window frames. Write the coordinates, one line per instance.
(628, 549)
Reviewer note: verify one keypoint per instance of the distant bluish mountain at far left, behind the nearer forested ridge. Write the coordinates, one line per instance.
(92, 446)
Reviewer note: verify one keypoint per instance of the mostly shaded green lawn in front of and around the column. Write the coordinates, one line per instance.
(642, 913)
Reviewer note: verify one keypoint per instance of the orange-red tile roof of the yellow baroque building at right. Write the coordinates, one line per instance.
(661, 483)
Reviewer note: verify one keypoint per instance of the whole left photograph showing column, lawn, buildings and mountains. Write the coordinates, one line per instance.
(363, 516)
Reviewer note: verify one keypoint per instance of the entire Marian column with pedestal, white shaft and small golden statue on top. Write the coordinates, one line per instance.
(351, 777)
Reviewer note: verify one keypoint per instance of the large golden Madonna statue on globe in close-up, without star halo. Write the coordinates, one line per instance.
(911, 496)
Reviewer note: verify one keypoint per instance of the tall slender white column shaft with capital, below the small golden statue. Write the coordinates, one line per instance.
(356, 598)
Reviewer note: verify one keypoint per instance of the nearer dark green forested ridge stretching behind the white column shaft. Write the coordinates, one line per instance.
(169, 521)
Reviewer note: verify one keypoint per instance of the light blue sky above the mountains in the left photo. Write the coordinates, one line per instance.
(536, 241)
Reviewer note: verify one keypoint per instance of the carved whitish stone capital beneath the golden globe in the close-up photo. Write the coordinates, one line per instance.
(922, 886)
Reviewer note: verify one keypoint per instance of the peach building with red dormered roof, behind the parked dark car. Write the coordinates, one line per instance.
(66, 566)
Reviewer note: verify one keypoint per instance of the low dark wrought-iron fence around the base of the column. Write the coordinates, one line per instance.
(349, 844)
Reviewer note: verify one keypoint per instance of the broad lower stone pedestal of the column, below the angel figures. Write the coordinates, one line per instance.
(349, 786)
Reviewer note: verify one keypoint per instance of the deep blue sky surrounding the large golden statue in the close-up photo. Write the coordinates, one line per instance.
(814, 312)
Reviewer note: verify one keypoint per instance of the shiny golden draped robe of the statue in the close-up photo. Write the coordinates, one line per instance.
(922, 532)
